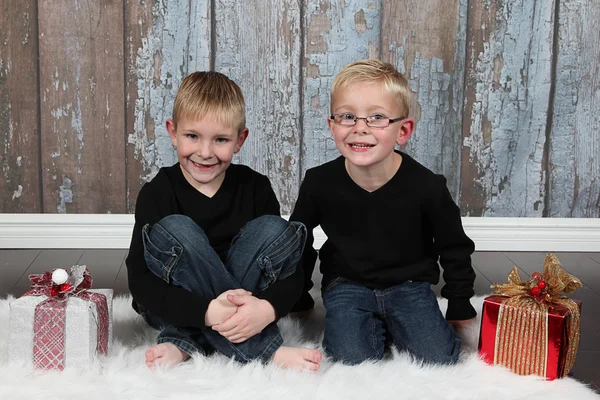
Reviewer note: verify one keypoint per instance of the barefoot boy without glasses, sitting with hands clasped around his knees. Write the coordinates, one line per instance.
(211, 264)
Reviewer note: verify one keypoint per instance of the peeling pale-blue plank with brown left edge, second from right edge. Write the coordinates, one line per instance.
(509, 56)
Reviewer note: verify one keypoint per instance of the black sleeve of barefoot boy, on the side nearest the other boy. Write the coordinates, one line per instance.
(282, 294)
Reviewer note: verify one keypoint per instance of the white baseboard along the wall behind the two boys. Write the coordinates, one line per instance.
(113, 231)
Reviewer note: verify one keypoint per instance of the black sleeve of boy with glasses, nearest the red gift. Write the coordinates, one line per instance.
(454, 249)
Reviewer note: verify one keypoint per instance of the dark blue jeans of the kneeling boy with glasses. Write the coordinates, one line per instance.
(360, 322)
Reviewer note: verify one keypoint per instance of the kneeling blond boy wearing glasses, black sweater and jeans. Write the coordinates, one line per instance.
(388, 221)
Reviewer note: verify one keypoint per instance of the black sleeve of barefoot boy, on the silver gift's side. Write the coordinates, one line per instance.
(172, 304)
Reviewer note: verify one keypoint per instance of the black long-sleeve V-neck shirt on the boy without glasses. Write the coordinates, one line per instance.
(244, 195)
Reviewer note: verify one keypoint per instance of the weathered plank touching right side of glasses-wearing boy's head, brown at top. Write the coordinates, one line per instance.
(426, 41)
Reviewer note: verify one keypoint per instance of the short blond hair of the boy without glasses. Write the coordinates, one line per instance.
(213, 95)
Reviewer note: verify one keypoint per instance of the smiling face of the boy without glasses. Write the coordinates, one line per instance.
(205, 149)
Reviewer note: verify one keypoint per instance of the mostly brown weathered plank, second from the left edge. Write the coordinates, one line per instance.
(82, 113)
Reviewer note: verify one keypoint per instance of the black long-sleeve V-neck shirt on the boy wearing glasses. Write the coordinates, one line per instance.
(385, 237)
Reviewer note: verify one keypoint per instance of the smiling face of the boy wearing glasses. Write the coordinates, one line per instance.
(360, 144)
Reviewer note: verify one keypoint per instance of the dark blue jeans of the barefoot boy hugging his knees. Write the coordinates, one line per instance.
(265, 250)
